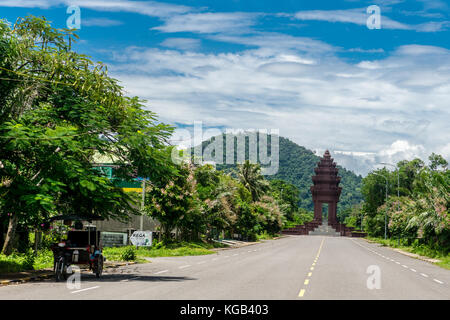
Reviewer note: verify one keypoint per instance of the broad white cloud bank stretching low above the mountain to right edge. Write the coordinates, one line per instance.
(395, 111)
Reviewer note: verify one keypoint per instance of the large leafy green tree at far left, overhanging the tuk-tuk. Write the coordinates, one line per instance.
(57, 110)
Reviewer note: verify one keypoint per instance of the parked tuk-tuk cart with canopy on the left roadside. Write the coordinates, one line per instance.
(82, 247)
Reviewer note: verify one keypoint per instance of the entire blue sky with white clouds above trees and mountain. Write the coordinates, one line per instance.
(312, 69)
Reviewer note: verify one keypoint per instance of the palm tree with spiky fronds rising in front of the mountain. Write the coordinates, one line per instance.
(251, 178)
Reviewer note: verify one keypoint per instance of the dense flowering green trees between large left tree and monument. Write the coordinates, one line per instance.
(201, 202)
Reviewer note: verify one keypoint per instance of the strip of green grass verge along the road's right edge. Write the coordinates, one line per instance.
(421, 250)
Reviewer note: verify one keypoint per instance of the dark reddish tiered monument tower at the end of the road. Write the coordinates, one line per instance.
(326, 188)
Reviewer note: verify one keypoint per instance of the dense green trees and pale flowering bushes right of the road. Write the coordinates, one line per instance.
(420, 214)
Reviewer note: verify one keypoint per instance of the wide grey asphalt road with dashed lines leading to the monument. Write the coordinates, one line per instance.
(295, 267)
